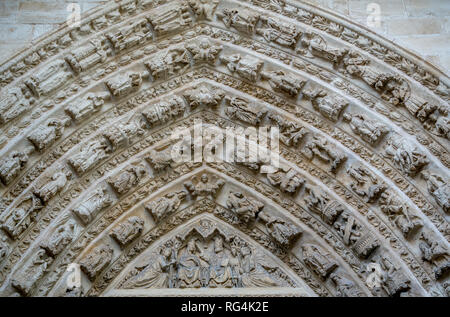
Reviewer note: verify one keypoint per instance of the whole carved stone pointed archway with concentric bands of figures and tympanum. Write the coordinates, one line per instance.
(358, 206)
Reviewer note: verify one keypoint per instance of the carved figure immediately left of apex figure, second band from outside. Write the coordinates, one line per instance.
(169, 63)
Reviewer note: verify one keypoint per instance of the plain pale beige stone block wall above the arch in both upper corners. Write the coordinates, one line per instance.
(422, 26)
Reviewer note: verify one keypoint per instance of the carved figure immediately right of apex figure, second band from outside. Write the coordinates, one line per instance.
(247, 67)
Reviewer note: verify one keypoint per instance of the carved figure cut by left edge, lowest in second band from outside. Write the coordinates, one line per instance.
(13, 164)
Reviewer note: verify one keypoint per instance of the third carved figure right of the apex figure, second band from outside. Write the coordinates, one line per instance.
(329, 105)
